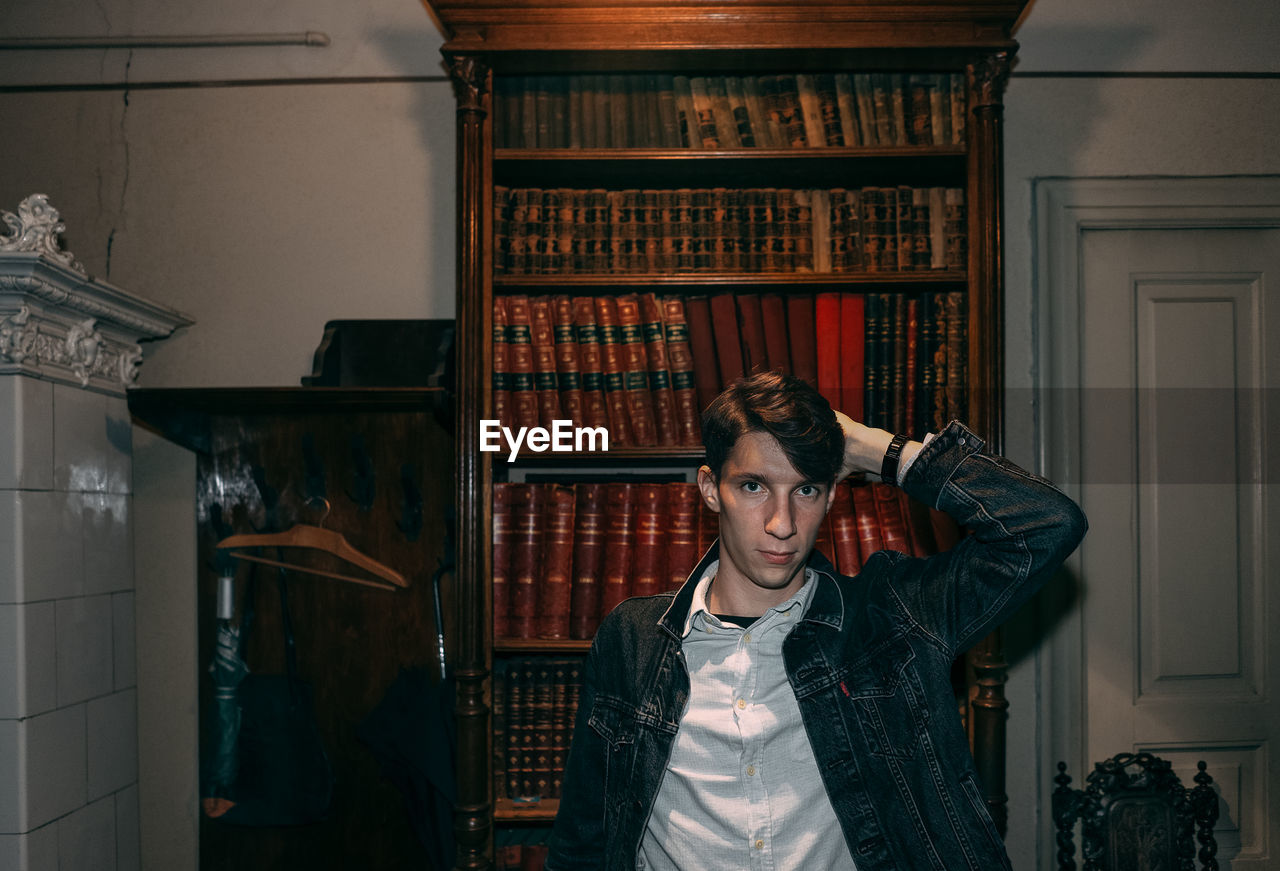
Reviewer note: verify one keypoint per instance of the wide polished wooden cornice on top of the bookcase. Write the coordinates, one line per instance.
(516, 28)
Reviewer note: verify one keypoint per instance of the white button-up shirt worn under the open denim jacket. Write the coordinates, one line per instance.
(742, 790)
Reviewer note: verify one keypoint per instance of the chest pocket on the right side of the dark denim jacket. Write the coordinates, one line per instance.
(886, 700)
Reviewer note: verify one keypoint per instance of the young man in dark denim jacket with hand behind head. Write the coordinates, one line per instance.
(775, 715)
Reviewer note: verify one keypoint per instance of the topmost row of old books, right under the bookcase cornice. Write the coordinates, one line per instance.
(730, 112)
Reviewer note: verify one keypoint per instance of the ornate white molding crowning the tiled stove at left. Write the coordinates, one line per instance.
(60, 323)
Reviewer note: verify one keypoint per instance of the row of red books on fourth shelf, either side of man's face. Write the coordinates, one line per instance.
(566, 555)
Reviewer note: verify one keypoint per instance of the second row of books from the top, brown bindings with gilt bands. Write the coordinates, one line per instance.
(568, 231)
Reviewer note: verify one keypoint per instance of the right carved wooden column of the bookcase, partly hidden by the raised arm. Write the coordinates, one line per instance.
(988, 79)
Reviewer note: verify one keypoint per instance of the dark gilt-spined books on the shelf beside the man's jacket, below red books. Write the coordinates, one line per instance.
(534, 705)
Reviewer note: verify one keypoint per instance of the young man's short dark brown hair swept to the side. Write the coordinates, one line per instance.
(787, 408)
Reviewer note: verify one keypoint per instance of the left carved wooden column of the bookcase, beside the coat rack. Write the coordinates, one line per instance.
(473, 811)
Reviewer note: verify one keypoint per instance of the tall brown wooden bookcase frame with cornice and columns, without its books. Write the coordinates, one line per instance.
(492, 43)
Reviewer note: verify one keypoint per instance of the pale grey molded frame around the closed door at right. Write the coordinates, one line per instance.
(1064, 209)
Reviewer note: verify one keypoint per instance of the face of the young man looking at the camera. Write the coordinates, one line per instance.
(769, 516)
